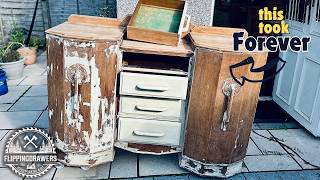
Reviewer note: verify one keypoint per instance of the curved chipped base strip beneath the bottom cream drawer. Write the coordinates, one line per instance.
(147, 148)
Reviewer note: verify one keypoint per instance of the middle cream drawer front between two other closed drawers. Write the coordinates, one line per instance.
(152, 107)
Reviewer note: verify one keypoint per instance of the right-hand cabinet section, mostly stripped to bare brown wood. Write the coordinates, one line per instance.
(220, 112)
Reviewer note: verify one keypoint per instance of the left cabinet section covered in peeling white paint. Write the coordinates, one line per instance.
(83, 62)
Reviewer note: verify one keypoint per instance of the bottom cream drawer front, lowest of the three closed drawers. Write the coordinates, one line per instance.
(149, 131)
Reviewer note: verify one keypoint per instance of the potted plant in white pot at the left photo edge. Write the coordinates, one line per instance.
(10, 60)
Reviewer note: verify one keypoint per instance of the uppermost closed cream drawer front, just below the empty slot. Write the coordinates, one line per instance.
(138, 84)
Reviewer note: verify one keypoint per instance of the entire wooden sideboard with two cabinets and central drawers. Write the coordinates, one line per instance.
(146, 98)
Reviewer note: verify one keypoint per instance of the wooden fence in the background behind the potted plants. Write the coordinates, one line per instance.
(49, 13)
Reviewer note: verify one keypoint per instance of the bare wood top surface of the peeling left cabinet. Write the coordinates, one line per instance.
(87, 31)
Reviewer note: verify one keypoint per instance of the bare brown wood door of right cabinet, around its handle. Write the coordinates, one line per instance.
(204, 139)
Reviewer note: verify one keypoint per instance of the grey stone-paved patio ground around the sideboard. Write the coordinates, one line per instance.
(26, 105)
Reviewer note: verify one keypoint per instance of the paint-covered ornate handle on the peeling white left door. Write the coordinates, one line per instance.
(77, 74)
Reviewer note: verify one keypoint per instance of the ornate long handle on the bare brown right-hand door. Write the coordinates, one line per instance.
(230, 89)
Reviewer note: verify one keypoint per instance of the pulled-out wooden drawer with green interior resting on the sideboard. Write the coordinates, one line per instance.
(159, 21)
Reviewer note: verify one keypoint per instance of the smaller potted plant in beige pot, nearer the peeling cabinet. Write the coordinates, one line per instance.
(29, 52)
